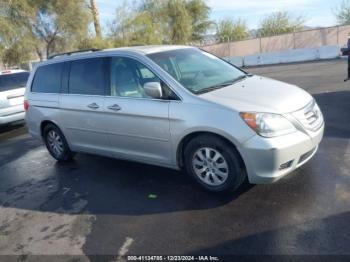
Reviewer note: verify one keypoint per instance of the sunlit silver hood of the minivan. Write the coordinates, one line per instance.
(260, 94)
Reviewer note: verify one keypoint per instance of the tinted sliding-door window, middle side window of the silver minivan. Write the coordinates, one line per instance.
(88, 76)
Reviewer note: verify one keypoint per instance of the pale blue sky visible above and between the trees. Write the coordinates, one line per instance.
(316, 12)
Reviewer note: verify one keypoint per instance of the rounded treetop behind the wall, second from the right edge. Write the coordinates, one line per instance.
(280, 23)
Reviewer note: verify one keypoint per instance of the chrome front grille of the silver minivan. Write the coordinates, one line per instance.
(310, 116)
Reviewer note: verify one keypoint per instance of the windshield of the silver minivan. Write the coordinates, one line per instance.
(196, 70)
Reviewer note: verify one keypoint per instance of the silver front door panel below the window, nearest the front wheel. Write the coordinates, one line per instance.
(139, 125)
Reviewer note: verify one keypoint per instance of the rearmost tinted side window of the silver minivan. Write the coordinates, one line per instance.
(47, 79)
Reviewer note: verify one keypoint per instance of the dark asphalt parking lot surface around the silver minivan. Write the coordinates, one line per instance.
(101, 206)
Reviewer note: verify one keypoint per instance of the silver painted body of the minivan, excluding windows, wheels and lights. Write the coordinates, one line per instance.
(152, 131)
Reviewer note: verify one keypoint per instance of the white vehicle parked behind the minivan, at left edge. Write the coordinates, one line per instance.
(12, 87)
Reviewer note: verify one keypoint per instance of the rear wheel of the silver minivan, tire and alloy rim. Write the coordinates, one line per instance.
(56, 144)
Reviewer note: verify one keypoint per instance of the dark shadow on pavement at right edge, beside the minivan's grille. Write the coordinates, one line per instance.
(335, 107)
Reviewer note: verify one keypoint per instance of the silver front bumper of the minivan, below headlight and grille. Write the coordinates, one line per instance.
(269, 159)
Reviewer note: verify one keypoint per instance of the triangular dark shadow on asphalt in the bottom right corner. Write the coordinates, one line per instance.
(321, 236)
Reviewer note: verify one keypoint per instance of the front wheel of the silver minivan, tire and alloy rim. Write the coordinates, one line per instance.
(222, 168)
